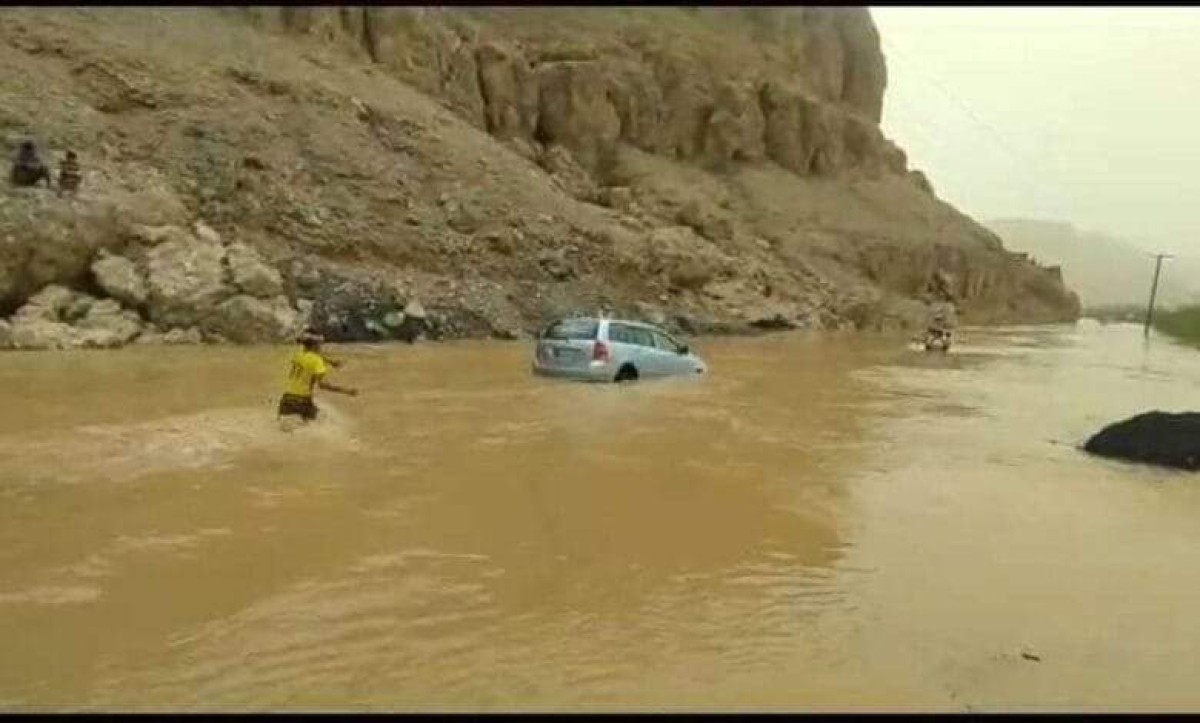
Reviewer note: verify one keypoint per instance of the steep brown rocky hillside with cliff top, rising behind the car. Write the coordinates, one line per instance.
(248, 171)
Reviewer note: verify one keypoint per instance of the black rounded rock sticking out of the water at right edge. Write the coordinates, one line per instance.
(1155, 438)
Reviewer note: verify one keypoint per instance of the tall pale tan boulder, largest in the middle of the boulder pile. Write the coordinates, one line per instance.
(187, 282)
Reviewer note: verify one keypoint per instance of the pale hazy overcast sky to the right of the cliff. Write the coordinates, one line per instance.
(1089, 116)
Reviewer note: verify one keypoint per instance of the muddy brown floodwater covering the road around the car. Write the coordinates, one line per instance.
(825, 523)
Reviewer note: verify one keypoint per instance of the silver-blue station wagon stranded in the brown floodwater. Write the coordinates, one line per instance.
(603, 350)
